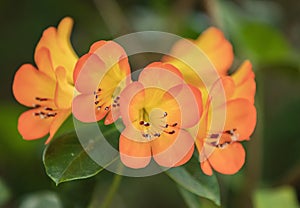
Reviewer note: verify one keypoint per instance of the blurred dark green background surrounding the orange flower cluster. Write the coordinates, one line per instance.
(266, 32)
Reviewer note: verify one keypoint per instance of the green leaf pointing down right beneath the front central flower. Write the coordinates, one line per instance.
(193, 180)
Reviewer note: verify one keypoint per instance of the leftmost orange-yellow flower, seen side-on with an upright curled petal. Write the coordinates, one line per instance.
(48, 89)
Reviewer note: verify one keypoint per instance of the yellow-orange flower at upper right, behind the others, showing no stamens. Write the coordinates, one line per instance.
(210, 49)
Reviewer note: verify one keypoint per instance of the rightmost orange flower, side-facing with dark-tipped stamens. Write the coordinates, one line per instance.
(222, 150)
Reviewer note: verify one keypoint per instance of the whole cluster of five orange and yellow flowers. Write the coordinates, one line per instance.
(166, 112)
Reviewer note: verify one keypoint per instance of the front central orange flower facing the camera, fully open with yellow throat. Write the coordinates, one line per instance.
(156, 110)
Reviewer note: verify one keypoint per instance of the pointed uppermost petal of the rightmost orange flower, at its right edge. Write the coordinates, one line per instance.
(244, 81)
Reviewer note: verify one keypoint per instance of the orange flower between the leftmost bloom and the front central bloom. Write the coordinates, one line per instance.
(99, 76)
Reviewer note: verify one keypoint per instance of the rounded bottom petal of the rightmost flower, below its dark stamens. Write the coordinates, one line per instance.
(228, 160)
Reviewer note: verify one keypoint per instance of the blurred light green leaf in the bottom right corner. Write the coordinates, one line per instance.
(276, 198)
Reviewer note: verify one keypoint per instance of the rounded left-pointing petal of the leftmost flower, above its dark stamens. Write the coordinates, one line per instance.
(30, 83)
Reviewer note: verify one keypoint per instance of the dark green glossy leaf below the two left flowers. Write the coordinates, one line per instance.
(65, 159)
